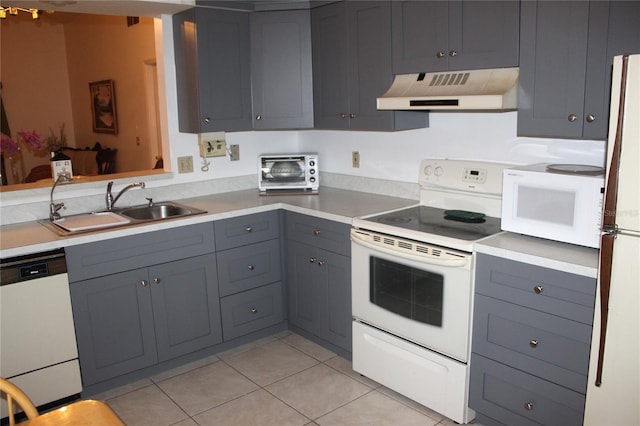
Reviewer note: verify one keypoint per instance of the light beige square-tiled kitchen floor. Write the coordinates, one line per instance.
(281, 380)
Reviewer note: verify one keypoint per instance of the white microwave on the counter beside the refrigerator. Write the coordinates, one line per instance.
(559, 202)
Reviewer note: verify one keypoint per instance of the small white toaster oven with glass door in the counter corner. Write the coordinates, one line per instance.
(288, 172)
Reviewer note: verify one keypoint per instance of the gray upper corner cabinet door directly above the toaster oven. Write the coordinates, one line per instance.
(281, 76)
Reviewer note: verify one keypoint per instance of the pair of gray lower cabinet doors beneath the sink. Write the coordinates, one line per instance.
(134, 319)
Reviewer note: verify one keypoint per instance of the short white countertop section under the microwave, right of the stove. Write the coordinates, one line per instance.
(537, 251)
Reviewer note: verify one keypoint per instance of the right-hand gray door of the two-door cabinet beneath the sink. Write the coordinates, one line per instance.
(186, 306)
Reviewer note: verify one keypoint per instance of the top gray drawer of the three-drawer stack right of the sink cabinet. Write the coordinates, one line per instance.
(248, 229)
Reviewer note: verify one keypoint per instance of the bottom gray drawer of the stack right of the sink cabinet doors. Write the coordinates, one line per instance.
(251, 310)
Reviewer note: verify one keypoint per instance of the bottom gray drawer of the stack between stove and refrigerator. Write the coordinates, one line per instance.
(504, 394)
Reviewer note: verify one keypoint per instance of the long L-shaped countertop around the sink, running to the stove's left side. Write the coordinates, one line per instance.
(330, 203)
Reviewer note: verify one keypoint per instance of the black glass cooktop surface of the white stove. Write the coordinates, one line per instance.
(460, 224)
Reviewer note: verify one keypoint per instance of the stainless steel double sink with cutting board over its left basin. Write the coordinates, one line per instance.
(73, 224)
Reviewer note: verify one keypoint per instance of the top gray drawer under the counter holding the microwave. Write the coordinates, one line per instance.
(559, 293)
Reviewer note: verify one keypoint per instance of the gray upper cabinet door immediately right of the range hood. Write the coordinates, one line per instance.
(552, 68)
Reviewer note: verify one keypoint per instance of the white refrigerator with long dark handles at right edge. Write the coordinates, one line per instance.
(613, 390)
